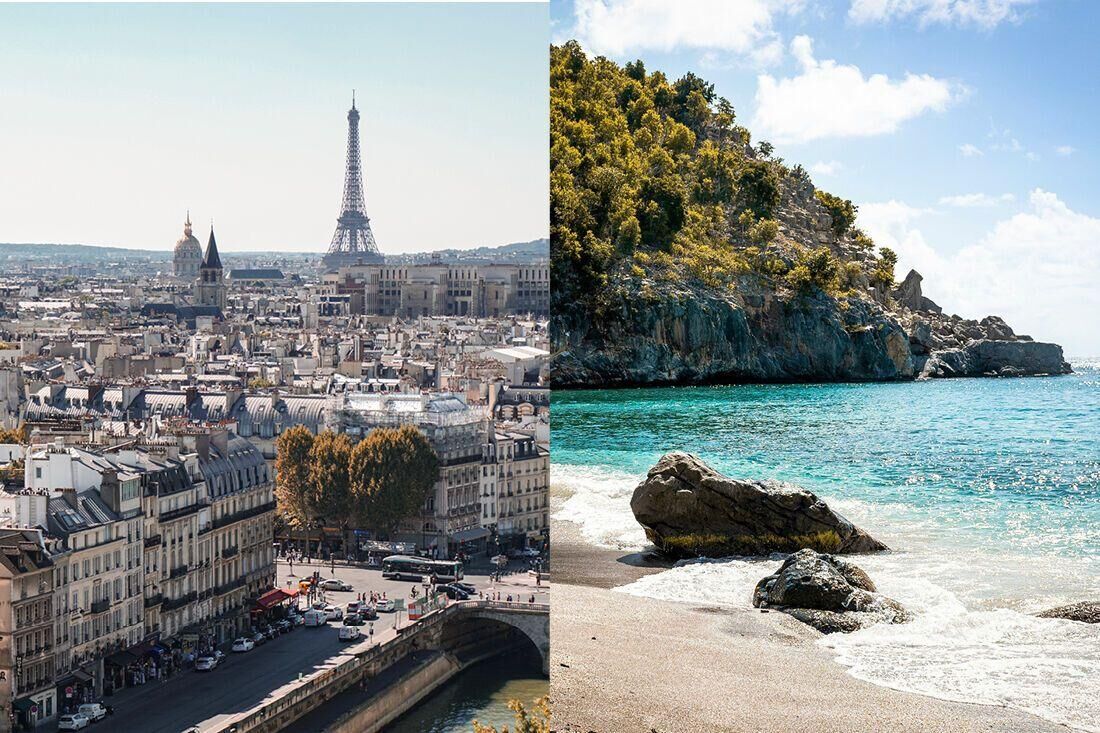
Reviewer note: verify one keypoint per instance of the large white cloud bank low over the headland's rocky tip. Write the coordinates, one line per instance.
(1037, 269)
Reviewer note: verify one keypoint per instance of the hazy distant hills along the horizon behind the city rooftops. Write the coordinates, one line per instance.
(91, 254)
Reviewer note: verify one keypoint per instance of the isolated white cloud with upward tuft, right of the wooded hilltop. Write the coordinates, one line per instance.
(833, 101)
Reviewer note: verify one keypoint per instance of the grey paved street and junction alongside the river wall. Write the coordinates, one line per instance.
(245, 681)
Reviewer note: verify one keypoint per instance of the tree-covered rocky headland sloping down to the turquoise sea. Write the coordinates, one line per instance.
(684, 254)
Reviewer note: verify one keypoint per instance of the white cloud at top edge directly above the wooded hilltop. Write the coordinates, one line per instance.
(617, 28)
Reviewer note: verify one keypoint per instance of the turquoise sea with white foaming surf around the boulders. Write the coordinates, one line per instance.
(988, 490)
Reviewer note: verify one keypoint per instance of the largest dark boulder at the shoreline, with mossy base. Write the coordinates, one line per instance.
(690, 510)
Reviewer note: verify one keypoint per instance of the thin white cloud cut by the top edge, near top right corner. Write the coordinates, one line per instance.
(977, 14)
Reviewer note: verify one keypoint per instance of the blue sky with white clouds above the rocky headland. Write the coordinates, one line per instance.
(964, 129)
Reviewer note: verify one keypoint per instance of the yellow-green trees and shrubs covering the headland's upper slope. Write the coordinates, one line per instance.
(654, 180)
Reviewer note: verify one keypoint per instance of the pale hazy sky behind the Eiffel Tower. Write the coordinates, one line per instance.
(117, 119)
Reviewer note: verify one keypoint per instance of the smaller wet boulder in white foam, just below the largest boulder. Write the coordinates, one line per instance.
(827, 593)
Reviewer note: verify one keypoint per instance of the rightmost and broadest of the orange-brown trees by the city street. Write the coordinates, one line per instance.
(392, 473)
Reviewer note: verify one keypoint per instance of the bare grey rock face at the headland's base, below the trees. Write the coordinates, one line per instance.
(686, 334)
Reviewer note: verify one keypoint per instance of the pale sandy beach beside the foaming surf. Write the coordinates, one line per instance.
(622, 664)
